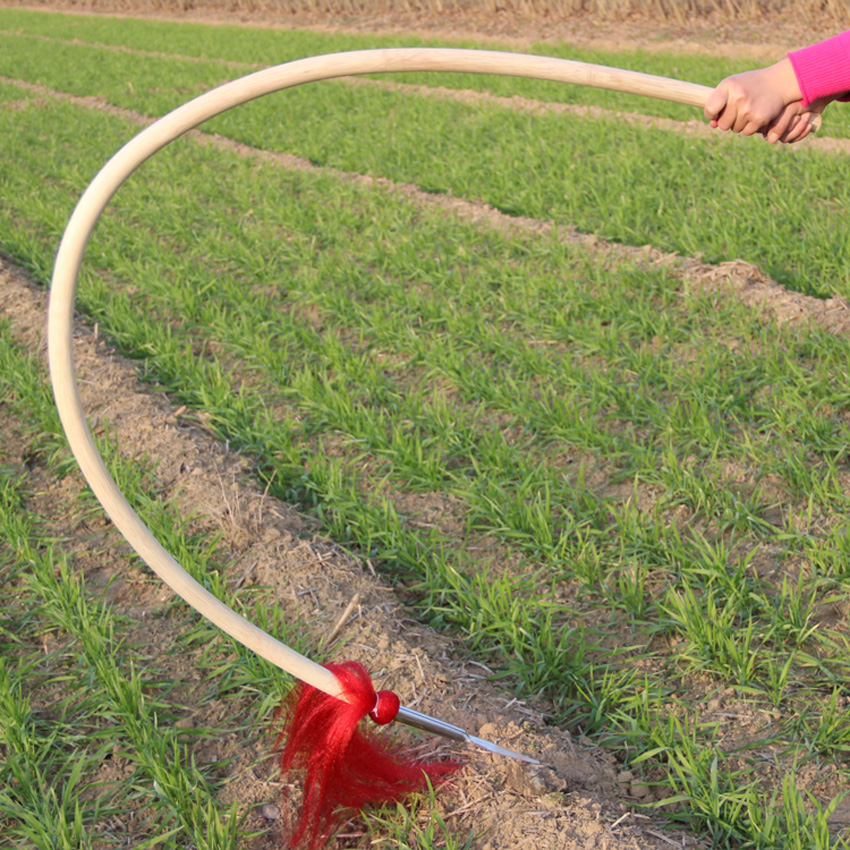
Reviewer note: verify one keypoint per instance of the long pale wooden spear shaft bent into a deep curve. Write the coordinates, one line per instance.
(158, 135)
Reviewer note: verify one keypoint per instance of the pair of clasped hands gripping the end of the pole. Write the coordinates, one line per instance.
(766, 101)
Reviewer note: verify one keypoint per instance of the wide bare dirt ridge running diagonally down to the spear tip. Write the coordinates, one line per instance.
(579, 799)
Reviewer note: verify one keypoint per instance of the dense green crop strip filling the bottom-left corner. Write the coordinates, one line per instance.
(53, 752)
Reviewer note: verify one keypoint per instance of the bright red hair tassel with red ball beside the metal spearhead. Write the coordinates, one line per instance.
(345, 767)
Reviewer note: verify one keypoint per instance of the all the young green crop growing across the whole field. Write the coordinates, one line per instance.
(645, 483)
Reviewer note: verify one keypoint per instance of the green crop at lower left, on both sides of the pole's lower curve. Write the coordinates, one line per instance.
(101, 740)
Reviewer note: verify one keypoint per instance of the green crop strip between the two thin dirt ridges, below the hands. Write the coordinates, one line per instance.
(729, 199)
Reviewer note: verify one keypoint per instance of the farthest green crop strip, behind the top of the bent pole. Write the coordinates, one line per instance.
(274, 46)
